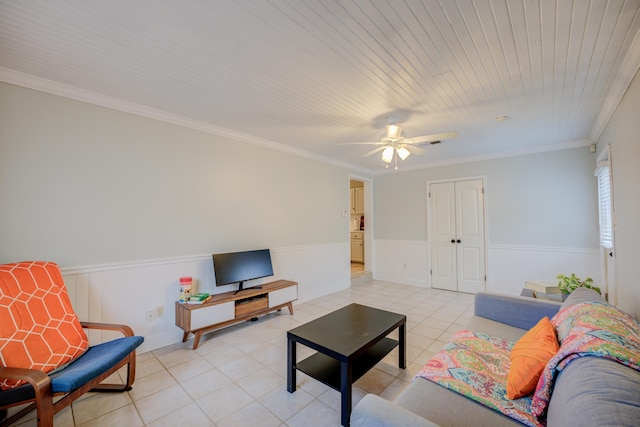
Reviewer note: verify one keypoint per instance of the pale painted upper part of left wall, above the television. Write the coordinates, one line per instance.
(83, 185)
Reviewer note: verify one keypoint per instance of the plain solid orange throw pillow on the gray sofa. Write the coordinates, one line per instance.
(529, 356)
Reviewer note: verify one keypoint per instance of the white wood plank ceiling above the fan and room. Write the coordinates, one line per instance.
(303, 76)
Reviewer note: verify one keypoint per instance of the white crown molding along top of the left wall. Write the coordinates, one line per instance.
(29, 81)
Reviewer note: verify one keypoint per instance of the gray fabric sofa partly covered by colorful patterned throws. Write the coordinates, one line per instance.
(589, 391)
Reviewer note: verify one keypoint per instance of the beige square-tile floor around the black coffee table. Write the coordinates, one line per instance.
(237, 376)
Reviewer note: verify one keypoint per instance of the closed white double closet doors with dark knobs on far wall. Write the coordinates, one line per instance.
(457, 235)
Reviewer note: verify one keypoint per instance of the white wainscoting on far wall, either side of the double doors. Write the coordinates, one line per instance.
(508, 266)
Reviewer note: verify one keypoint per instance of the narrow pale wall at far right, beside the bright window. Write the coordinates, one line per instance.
(623, 133)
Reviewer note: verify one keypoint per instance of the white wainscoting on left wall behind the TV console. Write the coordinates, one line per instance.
(124, 292)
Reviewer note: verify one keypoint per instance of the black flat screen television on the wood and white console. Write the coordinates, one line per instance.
(238, 267)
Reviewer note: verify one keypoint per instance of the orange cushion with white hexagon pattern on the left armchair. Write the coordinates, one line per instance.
(38, 327)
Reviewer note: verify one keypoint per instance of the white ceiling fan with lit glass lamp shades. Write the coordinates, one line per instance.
(395, 144)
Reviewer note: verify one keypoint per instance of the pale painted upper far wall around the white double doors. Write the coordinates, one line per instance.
(546, 199)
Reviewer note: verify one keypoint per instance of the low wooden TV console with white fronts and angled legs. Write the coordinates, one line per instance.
(231, 307)
